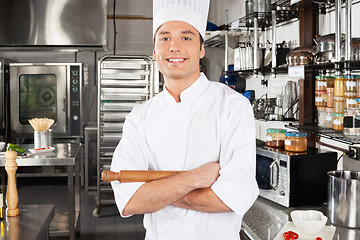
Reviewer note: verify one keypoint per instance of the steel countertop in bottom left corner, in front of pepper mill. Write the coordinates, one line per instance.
(32, 223)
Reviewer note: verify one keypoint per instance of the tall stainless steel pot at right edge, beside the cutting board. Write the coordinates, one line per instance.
(344, 198)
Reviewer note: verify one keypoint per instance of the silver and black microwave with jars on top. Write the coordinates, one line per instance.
(293, 179)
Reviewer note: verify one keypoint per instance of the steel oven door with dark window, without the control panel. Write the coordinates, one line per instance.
(37, 91)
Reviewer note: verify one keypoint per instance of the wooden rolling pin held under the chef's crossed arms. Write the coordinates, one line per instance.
(127, 176)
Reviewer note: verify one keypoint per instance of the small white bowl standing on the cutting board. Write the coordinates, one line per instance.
(309, 221)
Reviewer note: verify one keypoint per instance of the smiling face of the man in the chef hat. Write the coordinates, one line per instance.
(177, 50)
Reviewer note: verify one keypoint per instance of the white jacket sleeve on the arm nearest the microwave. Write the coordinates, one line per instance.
(236, 185)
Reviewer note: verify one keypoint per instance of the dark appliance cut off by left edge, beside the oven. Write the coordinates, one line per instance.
(4, 98)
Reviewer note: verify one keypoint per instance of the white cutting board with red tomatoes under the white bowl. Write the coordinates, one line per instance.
(327, 233)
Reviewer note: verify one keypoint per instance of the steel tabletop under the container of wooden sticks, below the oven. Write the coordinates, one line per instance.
(63, 155)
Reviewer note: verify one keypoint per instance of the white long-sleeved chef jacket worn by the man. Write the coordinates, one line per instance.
(211, 123)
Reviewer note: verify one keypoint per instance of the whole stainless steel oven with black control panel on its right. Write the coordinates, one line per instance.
(51, 90)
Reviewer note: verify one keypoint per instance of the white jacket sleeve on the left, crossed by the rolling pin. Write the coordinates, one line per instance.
(130, 154)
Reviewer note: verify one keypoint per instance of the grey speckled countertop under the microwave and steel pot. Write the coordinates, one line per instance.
(265, 219)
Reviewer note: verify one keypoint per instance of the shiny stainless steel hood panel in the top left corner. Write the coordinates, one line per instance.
(59, 23)
